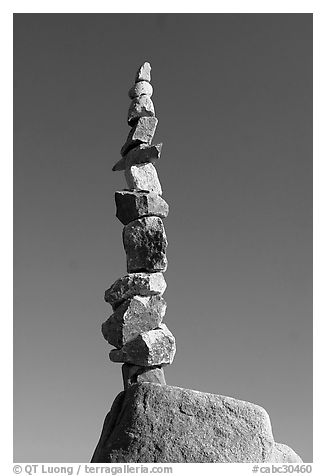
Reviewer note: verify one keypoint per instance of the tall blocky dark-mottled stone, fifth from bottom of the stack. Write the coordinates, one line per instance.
(145, 243)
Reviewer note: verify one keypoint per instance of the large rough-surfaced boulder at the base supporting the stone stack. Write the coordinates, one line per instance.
(151, 423)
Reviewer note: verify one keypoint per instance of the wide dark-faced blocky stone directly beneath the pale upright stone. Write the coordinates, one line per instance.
(133, 205)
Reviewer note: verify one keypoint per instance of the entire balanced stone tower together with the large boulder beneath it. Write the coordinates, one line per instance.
(151, 422)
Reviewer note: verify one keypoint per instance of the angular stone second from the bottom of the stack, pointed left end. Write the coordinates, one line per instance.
(155, 347)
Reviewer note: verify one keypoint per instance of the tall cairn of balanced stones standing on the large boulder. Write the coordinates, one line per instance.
(143, 343)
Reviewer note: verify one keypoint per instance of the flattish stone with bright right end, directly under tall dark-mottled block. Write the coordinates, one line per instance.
(141, 284)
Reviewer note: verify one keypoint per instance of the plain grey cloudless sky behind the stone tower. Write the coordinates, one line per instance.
(233, 95)
